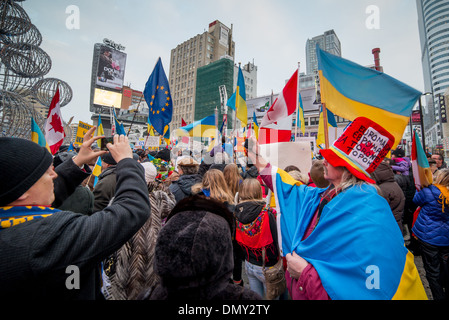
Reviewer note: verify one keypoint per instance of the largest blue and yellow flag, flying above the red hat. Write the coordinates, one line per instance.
(350, 91)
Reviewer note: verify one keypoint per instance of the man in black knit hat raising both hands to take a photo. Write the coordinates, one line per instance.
(53, 255)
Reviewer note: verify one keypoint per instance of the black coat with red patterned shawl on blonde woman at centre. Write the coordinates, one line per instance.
(249, 216)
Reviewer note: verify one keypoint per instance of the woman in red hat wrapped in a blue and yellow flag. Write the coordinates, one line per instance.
(334, 238)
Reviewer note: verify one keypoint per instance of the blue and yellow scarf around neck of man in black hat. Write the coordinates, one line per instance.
(12, 216)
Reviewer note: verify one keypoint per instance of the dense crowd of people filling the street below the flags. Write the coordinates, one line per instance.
(173, 224)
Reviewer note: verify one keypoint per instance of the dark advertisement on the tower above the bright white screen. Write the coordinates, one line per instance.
(111, 68)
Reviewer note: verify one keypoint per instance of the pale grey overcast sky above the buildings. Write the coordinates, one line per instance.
(273, 33)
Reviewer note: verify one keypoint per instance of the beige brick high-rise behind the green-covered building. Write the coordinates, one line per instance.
(186, 58)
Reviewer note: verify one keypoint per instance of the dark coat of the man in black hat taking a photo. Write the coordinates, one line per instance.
(40, 256)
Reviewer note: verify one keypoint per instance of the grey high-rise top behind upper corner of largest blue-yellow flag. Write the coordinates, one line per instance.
(328, 42)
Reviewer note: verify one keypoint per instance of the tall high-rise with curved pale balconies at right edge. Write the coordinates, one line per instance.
(433, 24)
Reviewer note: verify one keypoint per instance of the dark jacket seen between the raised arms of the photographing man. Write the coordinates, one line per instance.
(105, 189)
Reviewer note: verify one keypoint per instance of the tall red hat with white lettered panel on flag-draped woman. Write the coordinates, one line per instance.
(361, 148)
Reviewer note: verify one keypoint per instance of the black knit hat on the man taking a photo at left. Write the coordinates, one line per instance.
(22, 164)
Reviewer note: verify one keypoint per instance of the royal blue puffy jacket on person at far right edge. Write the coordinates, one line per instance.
(432, 224)
